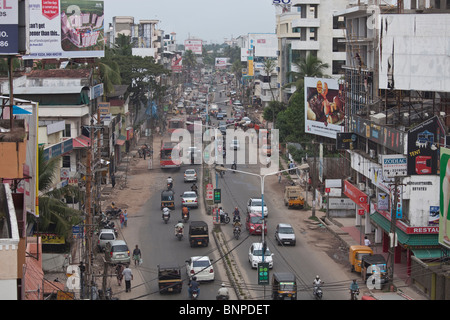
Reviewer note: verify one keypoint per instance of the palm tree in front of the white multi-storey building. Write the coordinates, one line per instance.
(310, 66)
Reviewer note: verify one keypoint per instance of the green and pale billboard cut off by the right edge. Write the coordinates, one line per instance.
(444, 221)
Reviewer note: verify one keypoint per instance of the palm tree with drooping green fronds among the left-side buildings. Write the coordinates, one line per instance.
(52, 211)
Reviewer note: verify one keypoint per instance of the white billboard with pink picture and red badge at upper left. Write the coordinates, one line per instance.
(66, 29)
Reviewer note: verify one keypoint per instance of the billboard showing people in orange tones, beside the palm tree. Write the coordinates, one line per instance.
(324, 107)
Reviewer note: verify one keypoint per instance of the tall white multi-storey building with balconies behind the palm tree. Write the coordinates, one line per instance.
(308, 27)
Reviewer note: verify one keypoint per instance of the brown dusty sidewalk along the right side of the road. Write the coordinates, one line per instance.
(346, 230)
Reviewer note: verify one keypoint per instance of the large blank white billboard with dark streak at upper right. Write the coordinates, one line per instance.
(414, 52)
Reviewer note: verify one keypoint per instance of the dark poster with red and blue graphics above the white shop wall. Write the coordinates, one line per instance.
(424, 141)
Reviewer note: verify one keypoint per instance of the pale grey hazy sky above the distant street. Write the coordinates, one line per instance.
(209, 20)
